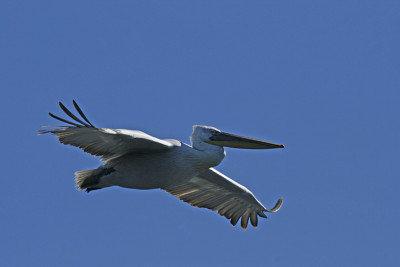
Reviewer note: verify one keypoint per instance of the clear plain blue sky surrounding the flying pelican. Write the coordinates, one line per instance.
(321, 77)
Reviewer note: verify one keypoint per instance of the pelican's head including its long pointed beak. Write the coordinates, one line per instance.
(213, 136)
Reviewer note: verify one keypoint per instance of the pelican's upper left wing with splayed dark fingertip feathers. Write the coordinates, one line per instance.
(104, 142)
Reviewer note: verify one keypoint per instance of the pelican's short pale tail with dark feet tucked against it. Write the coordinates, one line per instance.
(90, 179)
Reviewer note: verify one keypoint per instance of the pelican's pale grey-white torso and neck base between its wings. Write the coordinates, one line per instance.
(160, 170)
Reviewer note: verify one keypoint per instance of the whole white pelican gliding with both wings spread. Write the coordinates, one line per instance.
(134, 159)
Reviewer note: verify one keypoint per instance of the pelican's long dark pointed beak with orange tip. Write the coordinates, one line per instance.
(236, 141)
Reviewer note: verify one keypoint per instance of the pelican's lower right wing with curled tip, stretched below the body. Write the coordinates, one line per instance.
(213, 190)
